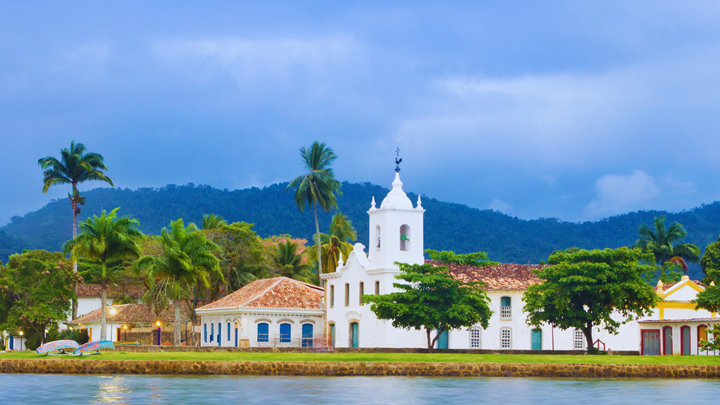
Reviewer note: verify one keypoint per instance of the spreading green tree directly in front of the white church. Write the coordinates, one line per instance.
(431, 299)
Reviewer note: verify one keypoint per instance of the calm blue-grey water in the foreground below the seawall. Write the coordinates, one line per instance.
(55, 389)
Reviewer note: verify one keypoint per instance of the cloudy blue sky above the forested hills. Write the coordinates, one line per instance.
(575, 110)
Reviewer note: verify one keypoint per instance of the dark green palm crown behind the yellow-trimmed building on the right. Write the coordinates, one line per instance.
(662, 243)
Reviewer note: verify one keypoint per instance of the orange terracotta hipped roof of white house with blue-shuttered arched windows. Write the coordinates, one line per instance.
(279, 293)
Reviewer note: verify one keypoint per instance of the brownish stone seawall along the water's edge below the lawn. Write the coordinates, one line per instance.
(277, 368)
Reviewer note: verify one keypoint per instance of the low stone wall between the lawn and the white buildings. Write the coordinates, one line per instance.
(154, 349)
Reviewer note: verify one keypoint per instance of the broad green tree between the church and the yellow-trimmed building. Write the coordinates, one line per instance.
(584, 288)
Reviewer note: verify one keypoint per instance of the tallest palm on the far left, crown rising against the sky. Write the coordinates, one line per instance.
(76, 165)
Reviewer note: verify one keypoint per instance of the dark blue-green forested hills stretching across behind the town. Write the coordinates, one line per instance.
(448, 226)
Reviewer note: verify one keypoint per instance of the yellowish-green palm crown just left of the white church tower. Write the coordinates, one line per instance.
(335, 244)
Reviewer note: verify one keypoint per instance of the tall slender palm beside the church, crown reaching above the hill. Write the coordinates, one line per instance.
(318, 185)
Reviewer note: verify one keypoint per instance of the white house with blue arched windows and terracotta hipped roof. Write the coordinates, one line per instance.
(275, 312)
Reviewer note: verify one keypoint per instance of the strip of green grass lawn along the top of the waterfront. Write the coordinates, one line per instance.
(386, 357)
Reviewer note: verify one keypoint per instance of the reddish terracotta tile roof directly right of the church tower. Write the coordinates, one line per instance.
(502, 277)
